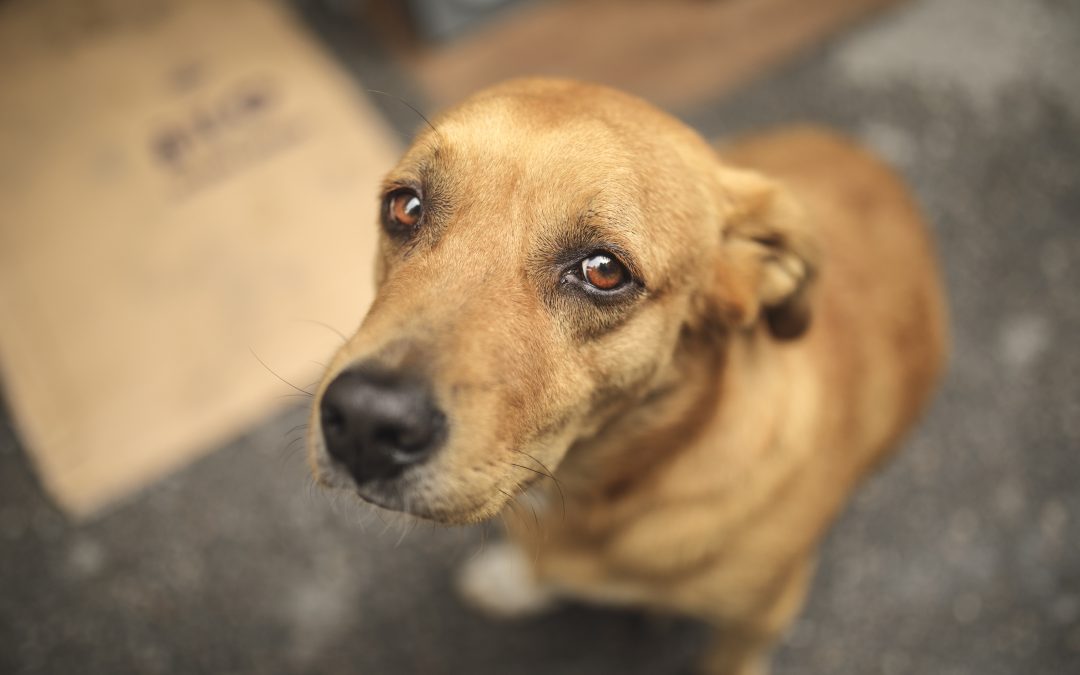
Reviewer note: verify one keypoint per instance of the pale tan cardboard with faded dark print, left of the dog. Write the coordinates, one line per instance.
(182, 183)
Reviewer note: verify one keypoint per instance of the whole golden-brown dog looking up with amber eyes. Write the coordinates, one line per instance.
(708, 359)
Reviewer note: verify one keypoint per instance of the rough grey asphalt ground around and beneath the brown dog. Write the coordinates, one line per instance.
(962, 557)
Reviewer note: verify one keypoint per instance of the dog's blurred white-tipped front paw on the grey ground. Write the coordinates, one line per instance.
(499, 583)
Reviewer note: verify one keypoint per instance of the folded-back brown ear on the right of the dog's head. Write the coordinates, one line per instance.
(768, 258)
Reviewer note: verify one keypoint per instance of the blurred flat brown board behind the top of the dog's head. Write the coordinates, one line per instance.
(676, 53)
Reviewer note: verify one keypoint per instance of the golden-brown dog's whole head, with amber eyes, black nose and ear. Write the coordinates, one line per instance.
(545, 250)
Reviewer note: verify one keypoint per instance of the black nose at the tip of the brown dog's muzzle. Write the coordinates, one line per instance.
(377, 423)
